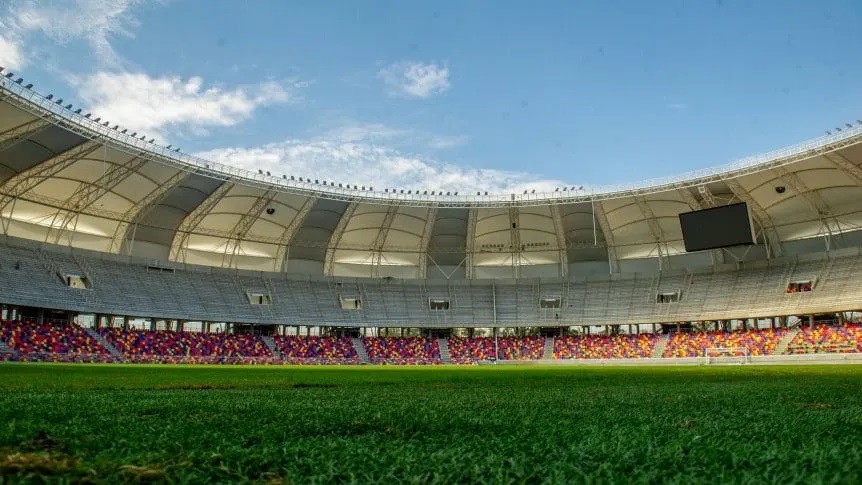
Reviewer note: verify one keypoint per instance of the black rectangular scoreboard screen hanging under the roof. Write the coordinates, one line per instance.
(717, 227)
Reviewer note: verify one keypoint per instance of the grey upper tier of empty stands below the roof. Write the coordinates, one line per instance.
(125, 286)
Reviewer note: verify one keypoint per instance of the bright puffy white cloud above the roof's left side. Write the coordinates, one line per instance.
(153, 104)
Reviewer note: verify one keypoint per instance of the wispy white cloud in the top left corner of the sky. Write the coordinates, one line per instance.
(63, 21)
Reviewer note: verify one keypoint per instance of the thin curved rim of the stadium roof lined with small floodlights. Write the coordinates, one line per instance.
(42, 107)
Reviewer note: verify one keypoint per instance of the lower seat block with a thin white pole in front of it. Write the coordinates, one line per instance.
(465, 350)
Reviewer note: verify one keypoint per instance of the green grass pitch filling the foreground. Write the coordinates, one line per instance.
(424, 425)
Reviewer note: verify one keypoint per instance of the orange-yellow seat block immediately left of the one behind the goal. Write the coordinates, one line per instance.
(604, 346)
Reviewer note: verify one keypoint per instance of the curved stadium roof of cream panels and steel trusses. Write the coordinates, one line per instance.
(71, 180)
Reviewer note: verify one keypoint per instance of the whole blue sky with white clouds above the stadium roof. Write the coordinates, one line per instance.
(466, 95)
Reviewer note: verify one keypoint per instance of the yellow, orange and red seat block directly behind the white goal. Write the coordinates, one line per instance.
(693, 344)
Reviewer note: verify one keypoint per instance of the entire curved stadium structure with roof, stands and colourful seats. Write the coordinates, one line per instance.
(131, 237)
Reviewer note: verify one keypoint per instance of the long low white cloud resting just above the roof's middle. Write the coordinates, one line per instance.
(363, 162)
